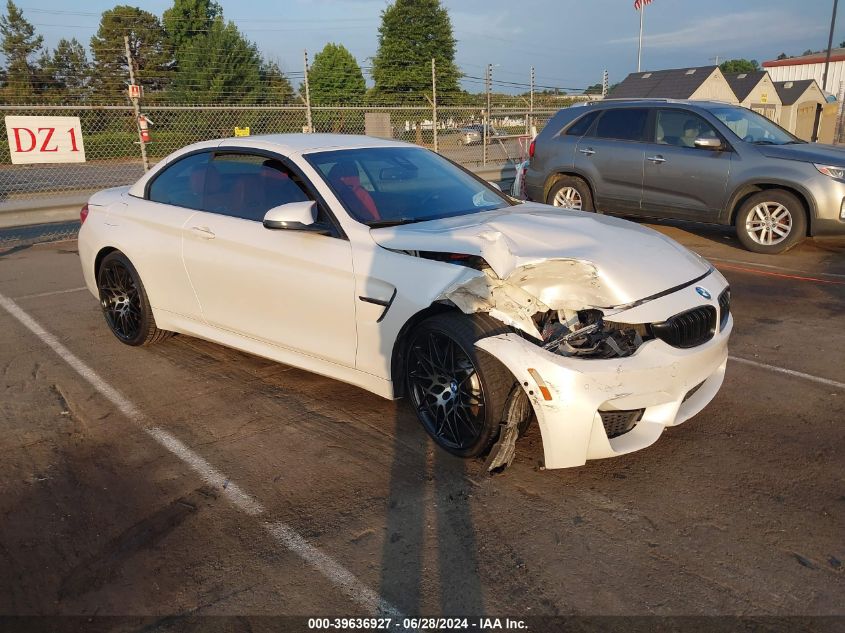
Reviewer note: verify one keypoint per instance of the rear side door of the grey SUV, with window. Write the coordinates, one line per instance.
(611, 156)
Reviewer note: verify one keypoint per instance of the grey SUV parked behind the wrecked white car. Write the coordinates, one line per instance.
(691, 160)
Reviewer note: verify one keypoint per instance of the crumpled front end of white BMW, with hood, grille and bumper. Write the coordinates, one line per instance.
(610, 344)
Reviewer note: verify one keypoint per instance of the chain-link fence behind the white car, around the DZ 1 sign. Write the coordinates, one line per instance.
(113, 156)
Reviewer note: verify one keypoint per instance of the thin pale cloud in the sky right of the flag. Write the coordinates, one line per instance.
(745, 30)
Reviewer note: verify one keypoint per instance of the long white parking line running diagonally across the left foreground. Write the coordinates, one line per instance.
(333, 571)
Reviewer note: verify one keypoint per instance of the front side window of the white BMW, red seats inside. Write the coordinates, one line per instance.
(246, 186)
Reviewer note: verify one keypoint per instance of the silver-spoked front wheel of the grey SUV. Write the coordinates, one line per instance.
(771, 222)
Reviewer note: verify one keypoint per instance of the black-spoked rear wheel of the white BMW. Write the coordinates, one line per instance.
(126, 307)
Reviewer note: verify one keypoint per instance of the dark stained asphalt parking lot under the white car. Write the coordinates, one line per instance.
(187, 480)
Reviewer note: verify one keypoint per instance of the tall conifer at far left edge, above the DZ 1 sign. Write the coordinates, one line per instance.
(18, 42)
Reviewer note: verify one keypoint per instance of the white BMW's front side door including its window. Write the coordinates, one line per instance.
(293, 289)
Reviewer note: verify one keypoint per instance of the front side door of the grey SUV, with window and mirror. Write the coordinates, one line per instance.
(680, 179)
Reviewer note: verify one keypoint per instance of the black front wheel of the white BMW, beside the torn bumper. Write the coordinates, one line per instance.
(458, 392)
